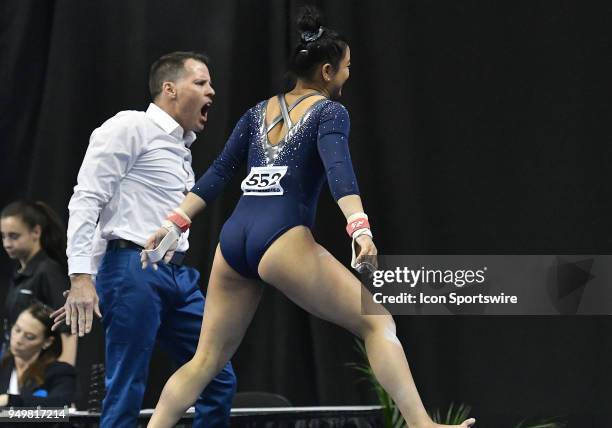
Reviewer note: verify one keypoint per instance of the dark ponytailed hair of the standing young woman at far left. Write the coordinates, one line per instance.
(53, 233)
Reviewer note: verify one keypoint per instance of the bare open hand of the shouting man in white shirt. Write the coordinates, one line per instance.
(81, 303)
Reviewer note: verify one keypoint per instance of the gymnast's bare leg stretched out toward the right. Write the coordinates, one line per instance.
(324, 287)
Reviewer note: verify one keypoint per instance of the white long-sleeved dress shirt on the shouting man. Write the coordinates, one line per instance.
(137, 168)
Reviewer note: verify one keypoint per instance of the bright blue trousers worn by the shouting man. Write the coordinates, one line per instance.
(142, 306)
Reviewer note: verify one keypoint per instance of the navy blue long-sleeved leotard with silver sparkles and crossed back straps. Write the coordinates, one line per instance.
(314, 149)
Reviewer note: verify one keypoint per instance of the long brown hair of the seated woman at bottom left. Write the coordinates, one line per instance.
(36, 372)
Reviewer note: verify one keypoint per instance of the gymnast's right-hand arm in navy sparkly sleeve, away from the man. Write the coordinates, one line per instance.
(333, 148)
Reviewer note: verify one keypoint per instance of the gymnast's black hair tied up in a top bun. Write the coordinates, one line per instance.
(317, 45)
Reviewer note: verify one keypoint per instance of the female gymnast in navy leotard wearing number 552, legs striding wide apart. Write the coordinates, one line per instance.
(292, 142)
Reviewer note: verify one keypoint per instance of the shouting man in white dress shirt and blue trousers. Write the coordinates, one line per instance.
(136, 170)
